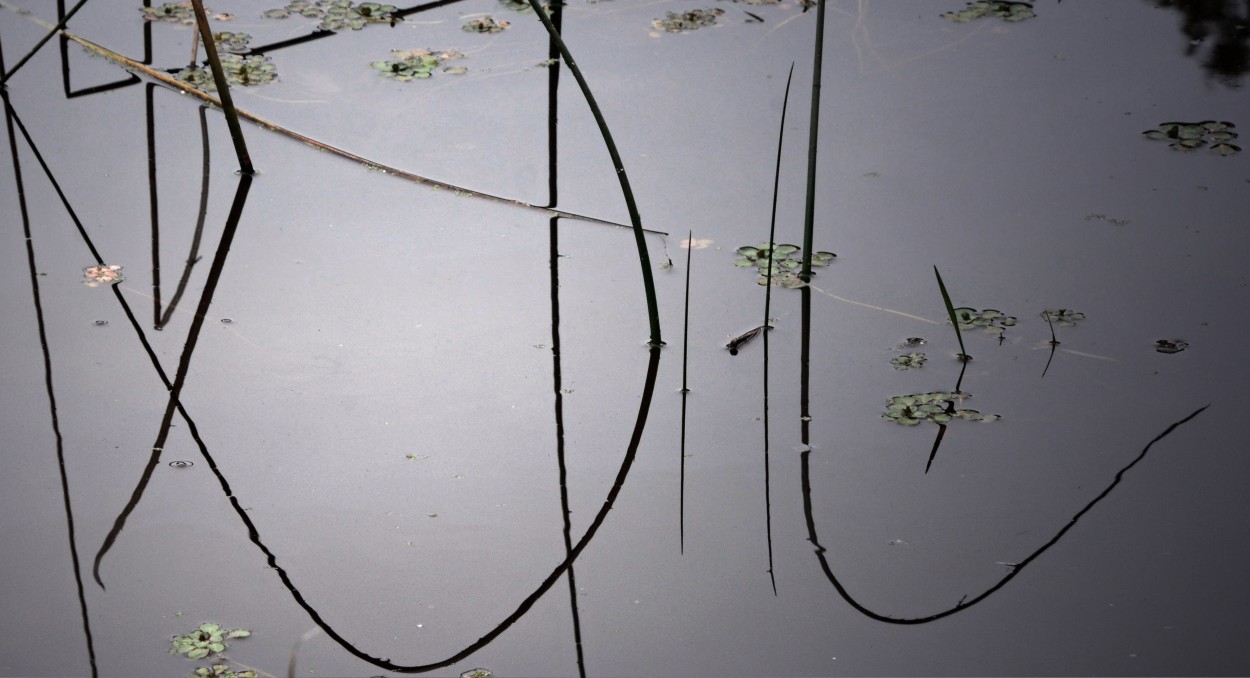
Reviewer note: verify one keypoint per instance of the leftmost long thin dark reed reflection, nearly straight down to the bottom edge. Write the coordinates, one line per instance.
(11, 116)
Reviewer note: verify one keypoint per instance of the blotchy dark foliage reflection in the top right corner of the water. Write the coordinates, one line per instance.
(1217, 32)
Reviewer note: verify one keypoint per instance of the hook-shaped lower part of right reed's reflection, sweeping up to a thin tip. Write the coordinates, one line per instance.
(964, 604)
